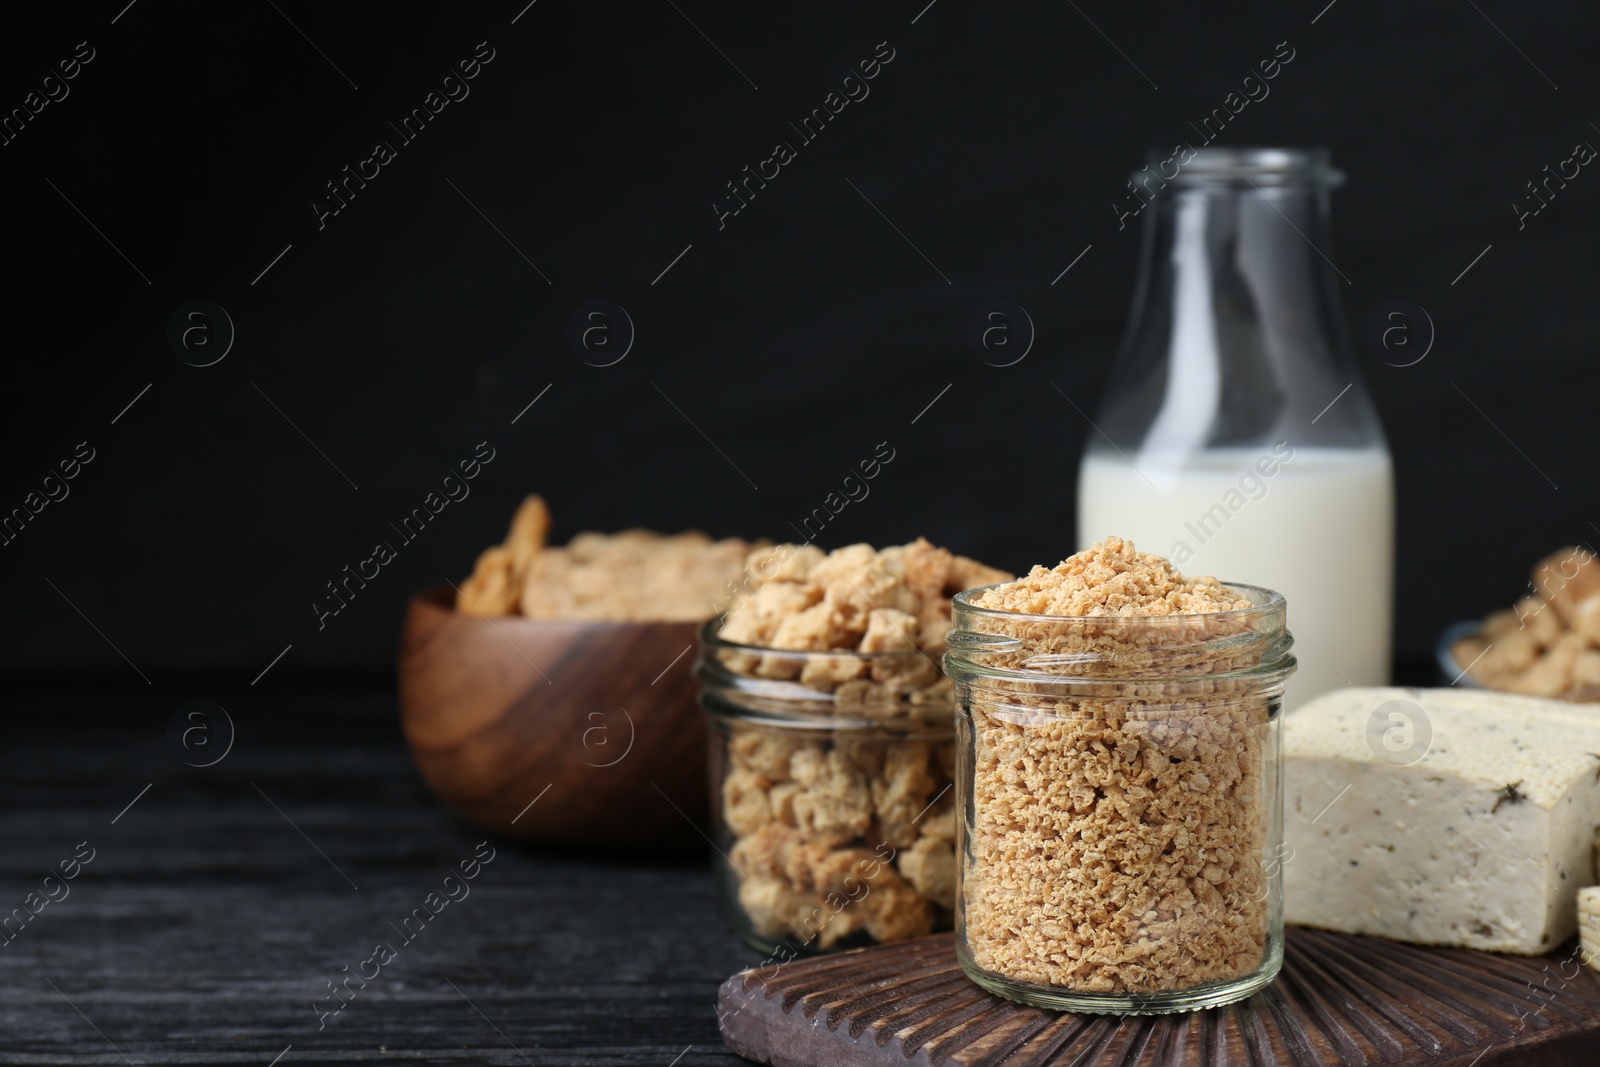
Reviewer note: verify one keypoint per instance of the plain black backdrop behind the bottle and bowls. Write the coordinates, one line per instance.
(796, 338)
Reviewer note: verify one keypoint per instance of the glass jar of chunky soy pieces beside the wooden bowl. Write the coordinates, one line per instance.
(833, 796)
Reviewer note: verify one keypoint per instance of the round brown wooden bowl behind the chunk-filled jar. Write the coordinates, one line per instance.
(574, 733)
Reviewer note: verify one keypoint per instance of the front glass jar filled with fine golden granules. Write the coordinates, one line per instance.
(1122, 812)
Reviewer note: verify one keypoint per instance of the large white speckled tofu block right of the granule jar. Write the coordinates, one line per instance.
(1441, 817)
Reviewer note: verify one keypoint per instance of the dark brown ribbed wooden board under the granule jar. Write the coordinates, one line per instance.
(1338, 1002)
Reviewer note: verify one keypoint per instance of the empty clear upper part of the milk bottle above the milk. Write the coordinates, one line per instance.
(1238, 338)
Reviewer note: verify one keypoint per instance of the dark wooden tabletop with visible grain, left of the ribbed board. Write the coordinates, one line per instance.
(223, 901)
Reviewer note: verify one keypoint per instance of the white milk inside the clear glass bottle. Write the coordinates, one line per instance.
(1319, 530)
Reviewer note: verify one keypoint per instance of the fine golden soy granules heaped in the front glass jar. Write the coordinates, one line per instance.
(1116, 844)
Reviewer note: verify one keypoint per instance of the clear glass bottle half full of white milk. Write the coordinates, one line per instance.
(1236, 436)
